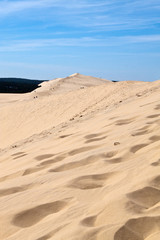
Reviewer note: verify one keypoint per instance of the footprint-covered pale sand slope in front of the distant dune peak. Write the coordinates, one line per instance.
(82, 165)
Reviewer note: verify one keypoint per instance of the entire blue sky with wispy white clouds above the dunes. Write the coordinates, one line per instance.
(112, 39)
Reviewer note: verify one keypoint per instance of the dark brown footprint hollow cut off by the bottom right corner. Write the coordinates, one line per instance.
(139, 229)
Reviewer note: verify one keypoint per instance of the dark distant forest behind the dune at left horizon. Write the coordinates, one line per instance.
(18, 85)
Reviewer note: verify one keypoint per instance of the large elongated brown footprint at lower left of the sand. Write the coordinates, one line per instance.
(36, 214)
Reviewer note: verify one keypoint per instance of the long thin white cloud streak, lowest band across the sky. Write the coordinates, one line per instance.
(23, 45)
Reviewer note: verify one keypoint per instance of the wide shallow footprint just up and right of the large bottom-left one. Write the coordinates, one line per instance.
(92, 181)
